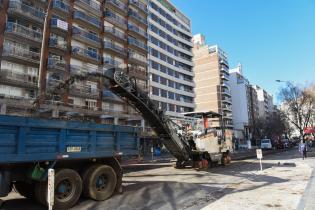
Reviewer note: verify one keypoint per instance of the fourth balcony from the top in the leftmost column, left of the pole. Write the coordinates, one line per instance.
(18, 79)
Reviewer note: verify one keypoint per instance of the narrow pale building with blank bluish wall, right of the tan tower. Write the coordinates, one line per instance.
(241, 104)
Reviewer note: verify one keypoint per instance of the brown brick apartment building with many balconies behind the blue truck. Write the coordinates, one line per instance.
(81, 36)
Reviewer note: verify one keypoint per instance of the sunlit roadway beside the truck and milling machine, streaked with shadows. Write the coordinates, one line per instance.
(241, 185)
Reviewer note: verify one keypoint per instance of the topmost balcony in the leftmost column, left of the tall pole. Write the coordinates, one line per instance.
(25, 11)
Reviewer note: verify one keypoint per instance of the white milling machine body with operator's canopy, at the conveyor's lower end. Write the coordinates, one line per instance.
(212, 141)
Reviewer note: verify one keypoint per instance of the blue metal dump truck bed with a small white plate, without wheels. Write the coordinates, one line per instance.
(24, 139)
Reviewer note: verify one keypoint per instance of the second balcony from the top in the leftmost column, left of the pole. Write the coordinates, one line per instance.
(23, 33)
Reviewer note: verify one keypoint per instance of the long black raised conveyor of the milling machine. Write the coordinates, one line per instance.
(126, 88)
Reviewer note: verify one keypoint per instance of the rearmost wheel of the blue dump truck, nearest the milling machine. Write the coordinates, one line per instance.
(99, 182)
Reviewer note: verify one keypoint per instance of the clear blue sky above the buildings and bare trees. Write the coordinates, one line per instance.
(273, 39)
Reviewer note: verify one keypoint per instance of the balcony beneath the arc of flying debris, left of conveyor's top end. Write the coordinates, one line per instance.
(87, 91)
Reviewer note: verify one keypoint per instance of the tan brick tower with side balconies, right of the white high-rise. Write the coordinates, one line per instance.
(213, 92)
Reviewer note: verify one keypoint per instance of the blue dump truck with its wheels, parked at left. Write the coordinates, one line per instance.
(84, 155)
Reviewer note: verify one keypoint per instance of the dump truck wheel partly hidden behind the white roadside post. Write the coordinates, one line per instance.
(68, 189)
